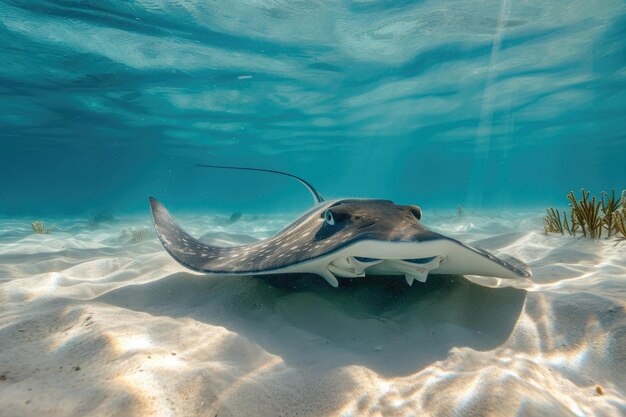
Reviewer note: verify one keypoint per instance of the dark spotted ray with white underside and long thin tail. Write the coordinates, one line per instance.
(344, 238)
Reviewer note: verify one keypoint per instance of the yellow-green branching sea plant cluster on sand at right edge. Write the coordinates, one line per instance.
(590, 215)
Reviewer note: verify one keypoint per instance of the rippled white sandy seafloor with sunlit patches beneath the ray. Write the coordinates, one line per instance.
(92, 323)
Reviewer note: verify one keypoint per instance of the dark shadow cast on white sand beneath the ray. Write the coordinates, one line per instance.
(376, 322)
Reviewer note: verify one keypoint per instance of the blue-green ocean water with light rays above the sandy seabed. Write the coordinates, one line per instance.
(489, 104)
